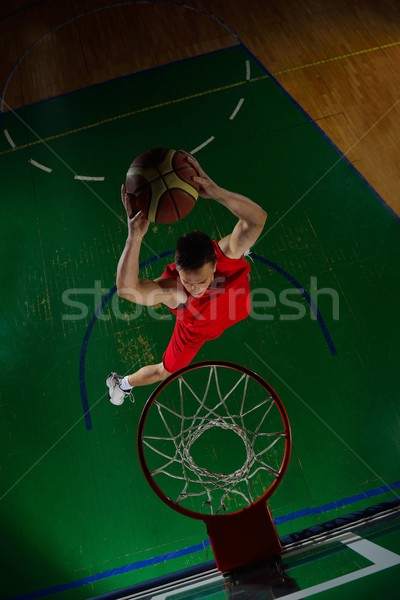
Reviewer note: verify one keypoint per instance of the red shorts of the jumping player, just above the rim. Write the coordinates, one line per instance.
(183, 346)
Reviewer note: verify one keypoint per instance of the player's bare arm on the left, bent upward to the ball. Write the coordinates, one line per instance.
(129, 285)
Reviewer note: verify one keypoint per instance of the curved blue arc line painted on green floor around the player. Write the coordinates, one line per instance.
(277, 268)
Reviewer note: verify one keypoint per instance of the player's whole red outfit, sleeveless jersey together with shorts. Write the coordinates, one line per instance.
(224, 303)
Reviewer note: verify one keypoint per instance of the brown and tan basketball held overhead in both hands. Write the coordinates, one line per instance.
(160, 183)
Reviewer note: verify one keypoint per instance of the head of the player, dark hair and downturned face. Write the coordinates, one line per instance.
(195, 261)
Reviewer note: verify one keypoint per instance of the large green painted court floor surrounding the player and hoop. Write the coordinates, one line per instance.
(78, 517)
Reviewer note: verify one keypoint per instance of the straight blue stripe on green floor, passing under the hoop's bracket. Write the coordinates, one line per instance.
(162, 558)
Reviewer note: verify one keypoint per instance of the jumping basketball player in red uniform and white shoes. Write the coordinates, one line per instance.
(207, 287)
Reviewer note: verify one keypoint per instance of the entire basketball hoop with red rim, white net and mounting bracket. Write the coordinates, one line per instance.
(214, 442)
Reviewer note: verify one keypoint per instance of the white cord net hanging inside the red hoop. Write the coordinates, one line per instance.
(214, 440)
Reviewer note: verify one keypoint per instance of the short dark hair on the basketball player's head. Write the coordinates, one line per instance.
(193, 251)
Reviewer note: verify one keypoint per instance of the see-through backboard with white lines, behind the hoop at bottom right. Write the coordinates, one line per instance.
(360, 562)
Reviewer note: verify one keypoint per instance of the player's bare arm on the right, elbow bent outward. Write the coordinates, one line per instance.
(251, 216)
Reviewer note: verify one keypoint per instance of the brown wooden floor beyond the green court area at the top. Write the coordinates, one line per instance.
(339, 59)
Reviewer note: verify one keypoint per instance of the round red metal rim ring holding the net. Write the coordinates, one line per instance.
(288, 439)
